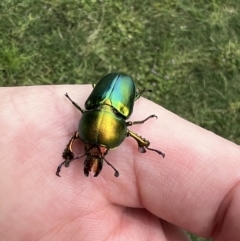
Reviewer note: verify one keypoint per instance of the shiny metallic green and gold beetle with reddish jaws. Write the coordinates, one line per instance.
(103, 124)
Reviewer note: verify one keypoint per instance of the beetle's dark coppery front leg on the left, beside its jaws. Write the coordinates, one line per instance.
(68, 154)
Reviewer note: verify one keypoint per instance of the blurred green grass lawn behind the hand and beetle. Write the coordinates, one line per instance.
(188, 51)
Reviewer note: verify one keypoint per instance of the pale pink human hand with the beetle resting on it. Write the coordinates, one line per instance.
(195, 187)
